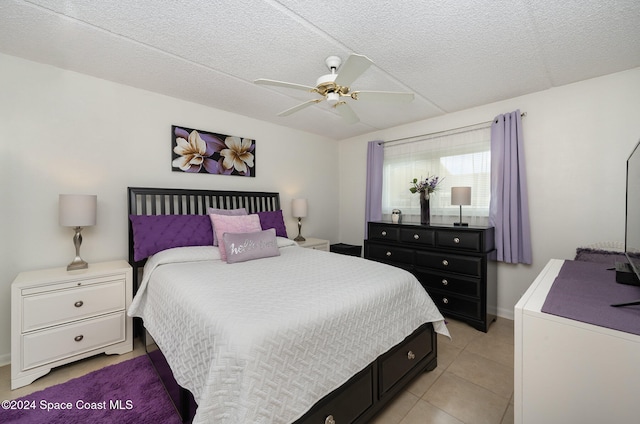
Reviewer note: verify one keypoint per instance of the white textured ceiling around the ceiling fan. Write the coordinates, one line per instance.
(453, 54)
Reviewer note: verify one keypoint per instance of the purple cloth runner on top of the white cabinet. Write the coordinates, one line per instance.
(584, 291)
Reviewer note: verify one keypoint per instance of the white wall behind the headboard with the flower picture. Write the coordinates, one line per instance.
(63, 132)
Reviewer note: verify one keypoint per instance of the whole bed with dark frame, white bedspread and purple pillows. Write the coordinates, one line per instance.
(297, 335)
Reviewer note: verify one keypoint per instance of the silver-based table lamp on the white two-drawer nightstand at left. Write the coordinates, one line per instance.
(77, 211)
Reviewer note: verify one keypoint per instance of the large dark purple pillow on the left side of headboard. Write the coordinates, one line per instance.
(153, 233)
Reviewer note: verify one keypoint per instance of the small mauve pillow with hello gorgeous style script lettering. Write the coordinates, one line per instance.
(241, 247)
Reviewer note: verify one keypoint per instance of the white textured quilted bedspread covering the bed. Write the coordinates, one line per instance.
(262, 341)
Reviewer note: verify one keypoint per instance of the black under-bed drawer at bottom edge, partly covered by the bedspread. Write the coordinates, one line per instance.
(355, 400)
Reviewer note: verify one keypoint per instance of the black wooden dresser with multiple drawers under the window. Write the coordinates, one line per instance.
(453, 264)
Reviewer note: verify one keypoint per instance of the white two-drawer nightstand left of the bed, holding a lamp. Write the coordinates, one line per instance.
(60, 316)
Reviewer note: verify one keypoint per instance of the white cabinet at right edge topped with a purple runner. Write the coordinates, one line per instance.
(568, 371)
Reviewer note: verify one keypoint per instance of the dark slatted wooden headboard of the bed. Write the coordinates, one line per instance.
(177, 201)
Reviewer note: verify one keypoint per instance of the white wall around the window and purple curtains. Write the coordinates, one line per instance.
(577, 139)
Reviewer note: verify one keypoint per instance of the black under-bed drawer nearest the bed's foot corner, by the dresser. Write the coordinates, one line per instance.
(398, 363)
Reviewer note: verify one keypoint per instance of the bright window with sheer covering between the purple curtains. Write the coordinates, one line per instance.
(459, 157)
